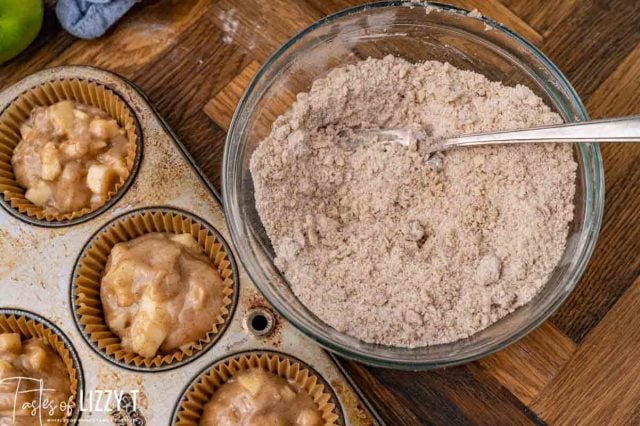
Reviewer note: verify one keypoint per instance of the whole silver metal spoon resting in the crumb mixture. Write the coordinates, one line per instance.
(624, 129)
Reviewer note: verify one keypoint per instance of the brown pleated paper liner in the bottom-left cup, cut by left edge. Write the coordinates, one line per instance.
(28, 328)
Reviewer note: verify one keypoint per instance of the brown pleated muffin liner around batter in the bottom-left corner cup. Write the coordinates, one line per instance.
(29, 325)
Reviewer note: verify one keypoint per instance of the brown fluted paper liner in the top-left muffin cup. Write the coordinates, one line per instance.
(45, 94)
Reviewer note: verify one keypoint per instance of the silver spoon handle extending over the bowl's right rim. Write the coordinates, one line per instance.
(625, 129)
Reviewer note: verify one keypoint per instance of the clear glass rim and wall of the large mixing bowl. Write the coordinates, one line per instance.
(593, 214)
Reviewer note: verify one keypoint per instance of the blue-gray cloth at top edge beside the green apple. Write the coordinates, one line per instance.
(90, 18)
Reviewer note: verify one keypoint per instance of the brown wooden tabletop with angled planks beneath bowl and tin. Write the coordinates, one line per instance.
(581, 366)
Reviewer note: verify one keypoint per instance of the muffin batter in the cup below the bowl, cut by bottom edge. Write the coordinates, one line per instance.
(256, 398)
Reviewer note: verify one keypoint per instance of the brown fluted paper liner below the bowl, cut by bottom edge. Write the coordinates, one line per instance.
(191, 406)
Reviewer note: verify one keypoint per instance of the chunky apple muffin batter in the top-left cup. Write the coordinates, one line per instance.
(70, 157)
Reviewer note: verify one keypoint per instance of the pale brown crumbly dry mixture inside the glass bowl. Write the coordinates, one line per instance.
(395, 246)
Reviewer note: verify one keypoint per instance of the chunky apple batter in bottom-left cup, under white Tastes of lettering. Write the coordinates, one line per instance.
(32, 360)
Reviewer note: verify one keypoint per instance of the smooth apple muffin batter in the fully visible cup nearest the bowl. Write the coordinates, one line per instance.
(160, 292)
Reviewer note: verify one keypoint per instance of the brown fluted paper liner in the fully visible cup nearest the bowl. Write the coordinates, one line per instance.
(90, 269)
